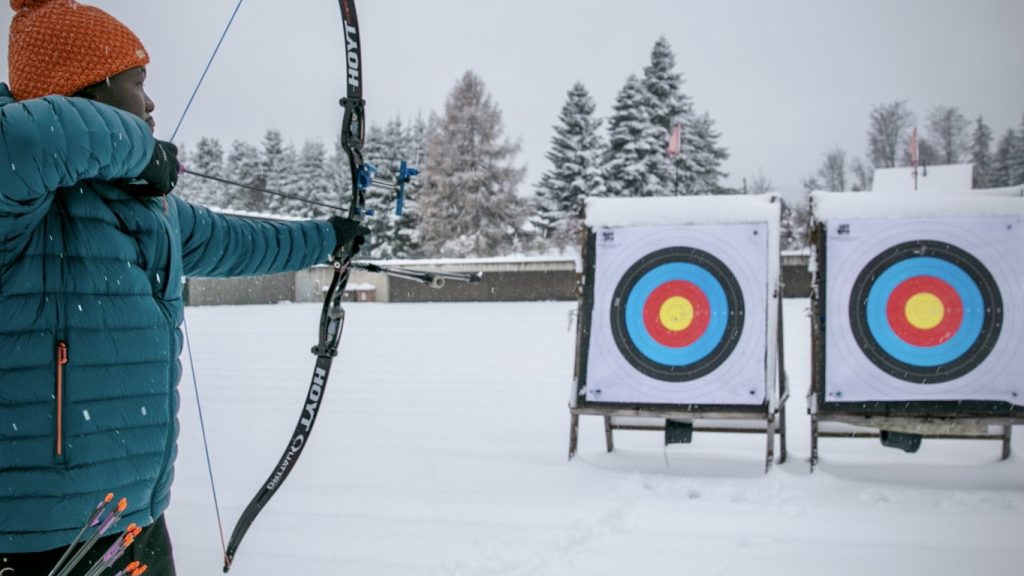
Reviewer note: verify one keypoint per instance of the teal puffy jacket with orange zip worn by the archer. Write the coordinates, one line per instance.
(91, 309)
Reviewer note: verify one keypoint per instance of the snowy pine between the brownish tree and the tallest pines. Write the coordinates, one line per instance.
(576, 156)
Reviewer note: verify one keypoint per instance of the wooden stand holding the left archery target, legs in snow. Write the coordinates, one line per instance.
(679, 422)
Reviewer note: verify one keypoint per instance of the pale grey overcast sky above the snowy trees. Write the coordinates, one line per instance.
(785, 80)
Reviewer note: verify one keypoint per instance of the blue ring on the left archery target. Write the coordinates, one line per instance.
(717, 302)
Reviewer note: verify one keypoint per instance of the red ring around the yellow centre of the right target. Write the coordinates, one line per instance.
(953, 311)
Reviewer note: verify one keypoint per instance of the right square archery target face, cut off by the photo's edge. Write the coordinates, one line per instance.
(927, 310)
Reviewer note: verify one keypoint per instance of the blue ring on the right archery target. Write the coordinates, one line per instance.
(967, 290)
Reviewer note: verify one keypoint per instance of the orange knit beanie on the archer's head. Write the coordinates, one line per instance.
(61, 47)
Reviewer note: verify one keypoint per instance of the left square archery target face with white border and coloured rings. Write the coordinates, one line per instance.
(679, 315)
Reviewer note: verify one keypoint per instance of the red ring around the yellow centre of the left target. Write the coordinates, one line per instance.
(655, 321)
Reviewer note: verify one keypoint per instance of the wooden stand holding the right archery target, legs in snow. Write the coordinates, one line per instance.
(901, 424)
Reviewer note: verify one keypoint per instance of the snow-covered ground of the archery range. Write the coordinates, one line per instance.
(442, 449)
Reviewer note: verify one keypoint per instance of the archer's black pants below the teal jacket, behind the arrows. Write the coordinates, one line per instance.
(153, 548)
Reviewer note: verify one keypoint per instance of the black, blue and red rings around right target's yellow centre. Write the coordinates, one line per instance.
(967, 291)
